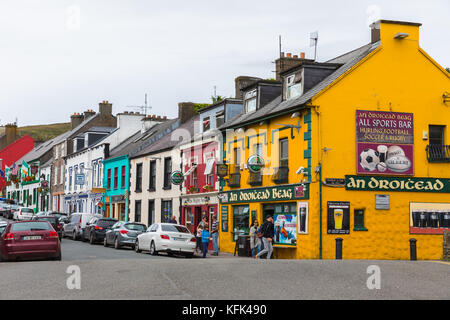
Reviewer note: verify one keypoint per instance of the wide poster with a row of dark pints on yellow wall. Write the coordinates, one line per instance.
(429, 218)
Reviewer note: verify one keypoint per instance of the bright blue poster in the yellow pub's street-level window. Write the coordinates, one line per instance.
(285, 229)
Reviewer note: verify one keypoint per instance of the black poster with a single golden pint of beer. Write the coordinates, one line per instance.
(338, 217)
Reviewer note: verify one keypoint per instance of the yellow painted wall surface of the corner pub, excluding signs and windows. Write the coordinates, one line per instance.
(399, 77)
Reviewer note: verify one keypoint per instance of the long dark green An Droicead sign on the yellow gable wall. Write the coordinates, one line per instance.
(375, 183)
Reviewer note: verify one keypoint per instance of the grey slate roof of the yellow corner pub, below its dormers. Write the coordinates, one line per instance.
(277, 106)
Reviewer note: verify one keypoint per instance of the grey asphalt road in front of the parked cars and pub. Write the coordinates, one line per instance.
(107, 273)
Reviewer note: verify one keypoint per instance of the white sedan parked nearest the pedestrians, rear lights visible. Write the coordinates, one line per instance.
(166, 237)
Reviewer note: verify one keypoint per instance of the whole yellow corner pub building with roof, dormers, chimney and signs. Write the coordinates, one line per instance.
(354, 149)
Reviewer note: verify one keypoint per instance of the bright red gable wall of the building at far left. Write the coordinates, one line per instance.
(13, 152)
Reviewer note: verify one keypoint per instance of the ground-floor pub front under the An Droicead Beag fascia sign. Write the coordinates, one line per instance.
(238, 210)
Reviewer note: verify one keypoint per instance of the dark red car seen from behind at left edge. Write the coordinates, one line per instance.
(29, 240)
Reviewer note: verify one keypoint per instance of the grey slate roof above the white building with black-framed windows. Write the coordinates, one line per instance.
(166, 141)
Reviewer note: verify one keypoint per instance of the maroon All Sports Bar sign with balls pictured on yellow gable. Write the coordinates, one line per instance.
(384, 142)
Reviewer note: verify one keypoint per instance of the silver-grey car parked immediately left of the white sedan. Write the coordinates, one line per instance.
(123, 234)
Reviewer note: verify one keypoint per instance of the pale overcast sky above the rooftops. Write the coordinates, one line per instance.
(63, 56)
